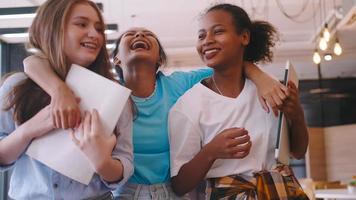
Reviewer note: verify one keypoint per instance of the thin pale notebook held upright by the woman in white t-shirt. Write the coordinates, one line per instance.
(282, 145)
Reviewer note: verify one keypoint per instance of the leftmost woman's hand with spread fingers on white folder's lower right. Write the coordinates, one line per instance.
(91, 139)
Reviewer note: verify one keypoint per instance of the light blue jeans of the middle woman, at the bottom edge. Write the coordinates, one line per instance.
(149, 192)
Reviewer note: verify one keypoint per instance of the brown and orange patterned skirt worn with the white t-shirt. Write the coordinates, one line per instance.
(278, 183)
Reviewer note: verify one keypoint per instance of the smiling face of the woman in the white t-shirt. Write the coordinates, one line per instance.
(219, 43)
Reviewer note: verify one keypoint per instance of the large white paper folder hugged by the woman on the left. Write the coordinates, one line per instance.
(56, 149)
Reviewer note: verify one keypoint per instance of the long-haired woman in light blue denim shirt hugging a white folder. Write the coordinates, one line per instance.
(66, 32)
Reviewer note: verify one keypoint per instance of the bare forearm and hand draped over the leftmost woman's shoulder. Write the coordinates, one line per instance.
(64, 105)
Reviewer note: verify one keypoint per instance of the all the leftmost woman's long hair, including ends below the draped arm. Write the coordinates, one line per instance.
(47, 35)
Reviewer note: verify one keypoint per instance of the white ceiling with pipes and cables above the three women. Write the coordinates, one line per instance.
(174, 21)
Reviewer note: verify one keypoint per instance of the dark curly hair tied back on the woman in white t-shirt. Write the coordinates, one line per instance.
(262, 34)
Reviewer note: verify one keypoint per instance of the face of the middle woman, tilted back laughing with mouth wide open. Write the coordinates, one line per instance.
(138, 45)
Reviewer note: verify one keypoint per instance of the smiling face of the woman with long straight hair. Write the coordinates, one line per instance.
(83, 35)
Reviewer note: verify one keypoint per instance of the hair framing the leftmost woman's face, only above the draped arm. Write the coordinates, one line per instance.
(47, 35)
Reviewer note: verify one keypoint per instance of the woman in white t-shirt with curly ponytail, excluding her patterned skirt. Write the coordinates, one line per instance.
(217, 128)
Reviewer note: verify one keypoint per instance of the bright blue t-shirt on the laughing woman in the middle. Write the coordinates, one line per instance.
(150, 132)
